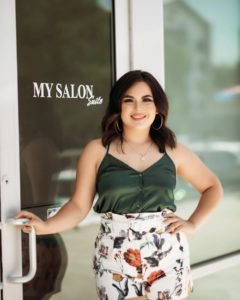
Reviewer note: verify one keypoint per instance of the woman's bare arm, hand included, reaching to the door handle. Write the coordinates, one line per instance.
(76, 210)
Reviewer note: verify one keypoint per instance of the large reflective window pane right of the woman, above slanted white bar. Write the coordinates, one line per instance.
(202, 67)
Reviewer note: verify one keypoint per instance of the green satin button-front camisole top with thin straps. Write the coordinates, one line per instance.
(122, 189)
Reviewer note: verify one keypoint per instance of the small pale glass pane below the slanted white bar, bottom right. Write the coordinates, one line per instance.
(218, 286)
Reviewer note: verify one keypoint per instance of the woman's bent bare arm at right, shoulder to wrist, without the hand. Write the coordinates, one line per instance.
(194, 171)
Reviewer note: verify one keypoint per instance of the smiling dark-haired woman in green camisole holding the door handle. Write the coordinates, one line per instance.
(141, 251)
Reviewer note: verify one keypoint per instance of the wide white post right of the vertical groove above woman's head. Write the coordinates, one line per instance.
(147, 37)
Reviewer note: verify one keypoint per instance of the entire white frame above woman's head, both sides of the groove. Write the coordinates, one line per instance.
(139, 37)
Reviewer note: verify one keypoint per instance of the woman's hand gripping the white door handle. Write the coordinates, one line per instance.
(39, 225)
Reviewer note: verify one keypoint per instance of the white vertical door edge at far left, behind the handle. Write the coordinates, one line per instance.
(9, 150)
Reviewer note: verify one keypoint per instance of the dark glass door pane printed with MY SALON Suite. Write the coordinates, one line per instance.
(64, 78)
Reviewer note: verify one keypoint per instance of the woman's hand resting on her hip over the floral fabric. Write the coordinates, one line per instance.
(178, 224)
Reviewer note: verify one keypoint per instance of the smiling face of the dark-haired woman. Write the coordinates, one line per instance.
(138, 101)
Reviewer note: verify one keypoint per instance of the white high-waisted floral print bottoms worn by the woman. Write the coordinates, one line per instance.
(133, 256)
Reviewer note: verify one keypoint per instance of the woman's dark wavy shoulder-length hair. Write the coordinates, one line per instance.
(109, 128)
